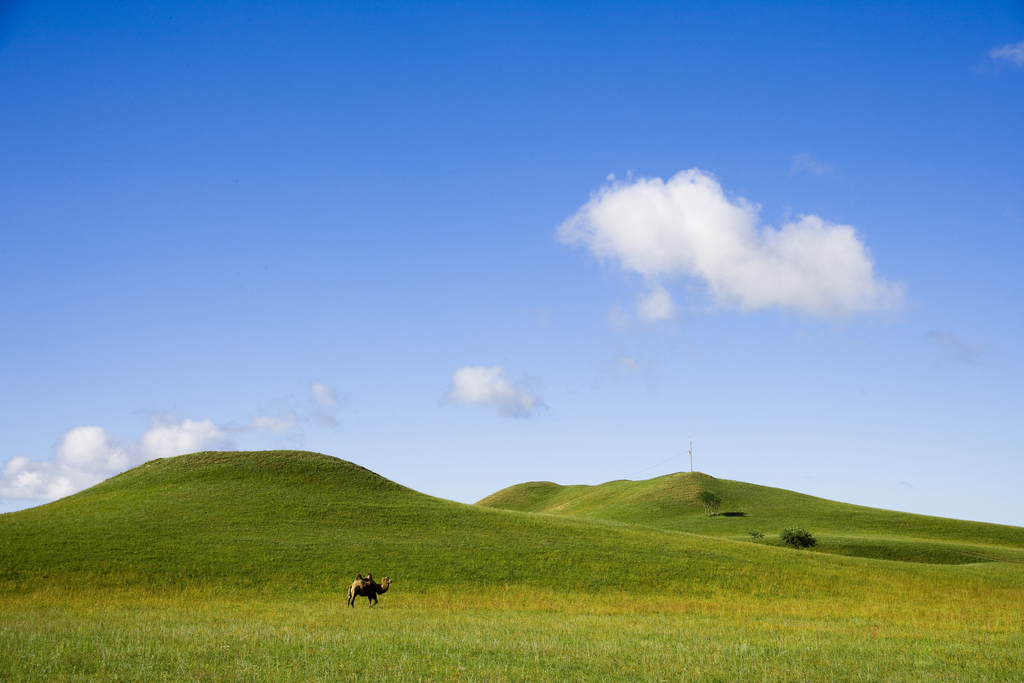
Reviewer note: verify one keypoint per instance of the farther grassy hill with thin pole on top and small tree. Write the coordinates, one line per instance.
(670, 503)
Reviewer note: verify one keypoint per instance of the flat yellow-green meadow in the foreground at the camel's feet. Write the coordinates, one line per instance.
(508, 636)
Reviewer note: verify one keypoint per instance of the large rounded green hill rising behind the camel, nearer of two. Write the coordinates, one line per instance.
(301, 522)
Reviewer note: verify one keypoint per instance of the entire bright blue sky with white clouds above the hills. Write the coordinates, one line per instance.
(471, 245)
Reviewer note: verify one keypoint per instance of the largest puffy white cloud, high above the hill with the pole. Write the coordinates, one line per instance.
(688, 228)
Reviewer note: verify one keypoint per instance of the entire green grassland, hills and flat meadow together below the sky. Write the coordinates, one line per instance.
(235, 567)
